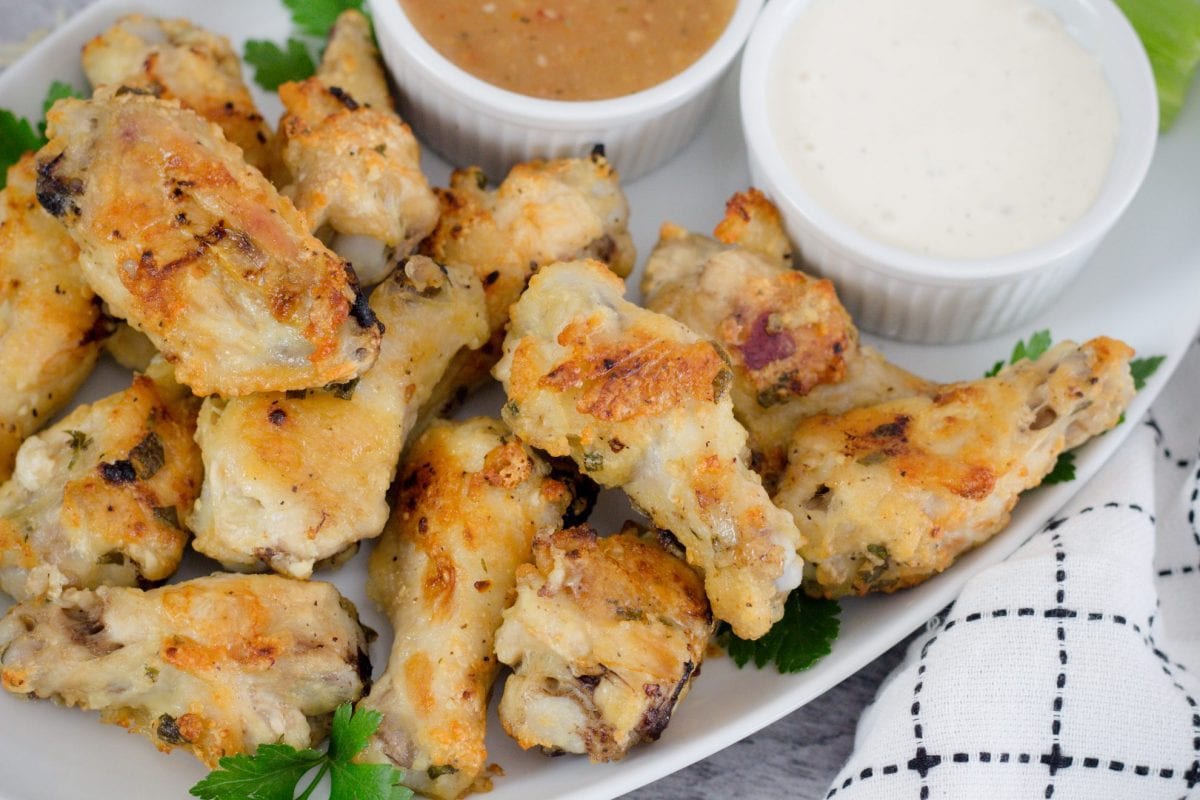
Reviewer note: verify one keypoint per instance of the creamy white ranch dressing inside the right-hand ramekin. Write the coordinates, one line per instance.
(961, 129)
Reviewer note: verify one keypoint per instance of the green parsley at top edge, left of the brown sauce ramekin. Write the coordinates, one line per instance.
(297, 59)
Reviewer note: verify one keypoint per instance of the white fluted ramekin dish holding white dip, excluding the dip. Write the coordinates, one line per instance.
(907, 296)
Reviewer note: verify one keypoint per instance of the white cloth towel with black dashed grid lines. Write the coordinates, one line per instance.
(1071, 670)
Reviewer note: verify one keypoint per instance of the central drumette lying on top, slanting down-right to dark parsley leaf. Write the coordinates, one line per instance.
(640, 402)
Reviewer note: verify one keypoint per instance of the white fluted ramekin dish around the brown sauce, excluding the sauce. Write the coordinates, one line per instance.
(471, 122)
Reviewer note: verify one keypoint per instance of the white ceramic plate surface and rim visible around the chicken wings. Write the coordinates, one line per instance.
(41, 744)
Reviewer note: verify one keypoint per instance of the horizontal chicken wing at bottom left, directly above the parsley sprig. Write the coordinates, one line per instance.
(217, 665)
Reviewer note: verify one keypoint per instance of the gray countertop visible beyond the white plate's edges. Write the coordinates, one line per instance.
(796, 757)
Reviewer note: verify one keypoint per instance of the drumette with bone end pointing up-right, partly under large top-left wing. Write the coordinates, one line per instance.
(292, 479)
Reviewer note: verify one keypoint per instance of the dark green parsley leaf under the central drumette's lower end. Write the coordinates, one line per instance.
(795, 643)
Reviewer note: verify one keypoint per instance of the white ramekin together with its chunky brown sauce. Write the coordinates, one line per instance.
(496, 82)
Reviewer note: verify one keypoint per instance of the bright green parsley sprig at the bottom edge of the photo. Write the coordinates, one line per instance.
(275, 772)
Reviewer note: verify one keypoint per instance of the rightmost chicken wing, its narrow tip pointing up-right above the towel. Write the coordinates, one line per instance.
(891, 495)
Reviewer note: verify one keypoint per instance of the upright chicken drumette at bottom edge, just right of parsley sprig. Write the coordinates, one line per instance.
(471, 500)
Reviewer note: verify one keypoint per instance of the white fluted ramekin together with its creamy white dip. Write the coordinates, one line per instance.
(951, 165)
